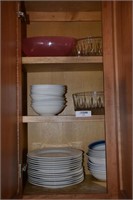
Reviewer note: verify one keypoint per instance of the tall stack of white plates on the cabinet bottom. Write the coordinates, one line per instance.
(55, 167)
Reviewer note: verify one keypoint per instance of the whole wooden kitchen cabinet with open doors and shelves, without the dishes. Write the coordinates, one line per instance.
(106, 72)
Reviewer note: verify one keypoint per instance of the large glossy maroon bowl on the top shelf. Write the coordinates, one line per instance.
(48, 46)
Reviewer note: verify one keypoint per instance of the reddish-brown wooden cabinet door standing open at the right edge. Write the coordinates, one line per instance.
(123, 68)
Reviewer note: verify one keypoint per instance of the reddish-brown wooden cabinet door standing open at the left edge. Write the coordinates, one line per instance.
(9, 110)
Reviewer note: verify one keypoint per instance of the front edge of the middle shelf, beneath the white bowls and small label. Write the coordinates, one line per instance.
(60, 119)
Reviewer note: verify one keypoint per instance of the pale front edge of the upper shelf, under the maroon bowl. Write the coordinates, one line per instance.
(56, 60)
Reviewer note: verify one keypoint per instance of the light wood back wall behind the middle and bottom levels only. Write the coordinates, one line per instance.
(81, 133)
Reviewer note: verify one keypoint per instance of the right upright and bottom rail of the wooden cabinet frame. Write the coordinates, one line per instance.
(110, 114)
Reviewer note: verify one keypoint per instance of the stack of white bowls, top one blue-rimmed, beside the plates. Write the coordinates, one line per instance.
(97, 160)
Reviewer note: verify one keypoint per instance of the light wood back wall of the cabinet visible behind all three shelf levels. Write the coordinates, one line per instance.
(76, 81)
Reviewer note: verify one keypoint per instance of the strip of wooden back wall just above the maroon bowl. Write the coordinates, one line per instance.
(72, 29)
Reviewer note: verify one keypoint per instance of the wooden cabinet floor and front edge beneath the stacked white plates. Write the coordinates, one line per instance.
(83, 190)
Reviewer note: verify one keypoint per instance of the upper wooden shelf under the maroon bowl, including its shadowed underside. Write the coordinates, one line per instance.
(73, 63)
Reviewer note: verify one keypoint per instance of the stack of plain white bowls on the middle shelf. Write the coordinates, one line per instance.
(48, 99)
